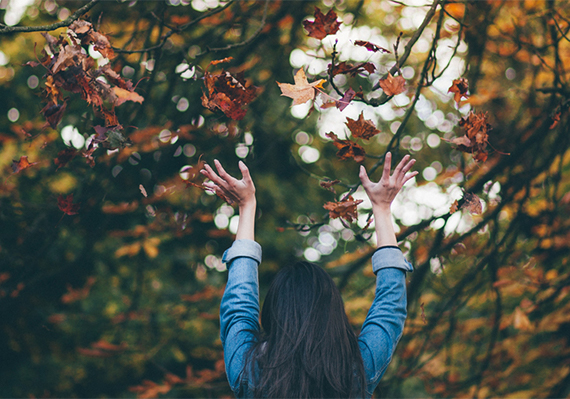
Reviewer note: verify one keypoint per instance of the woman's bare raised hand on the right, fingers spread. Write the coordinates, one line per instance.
(383, 192)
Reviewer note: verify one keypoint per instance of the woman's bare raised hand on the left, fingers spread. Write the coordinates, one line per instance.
(240, 192)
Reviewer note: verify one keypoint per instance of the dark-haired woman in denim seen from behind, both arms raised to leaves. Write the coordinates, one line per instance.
(307, 348)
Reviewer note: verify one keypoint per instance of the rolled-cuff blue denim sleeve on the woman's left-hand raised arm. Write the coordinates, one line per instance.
(239, 310)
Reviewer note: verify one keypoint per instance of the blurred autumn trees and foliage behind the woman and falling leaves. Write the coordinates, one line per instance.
(110, 260)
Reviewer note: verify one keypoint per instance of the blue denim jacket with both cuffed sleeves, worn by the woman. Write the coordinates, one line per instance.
(239, 313)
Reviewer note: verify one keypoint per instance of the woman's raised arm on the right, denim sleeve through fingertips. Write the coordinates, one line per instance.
(384, 323)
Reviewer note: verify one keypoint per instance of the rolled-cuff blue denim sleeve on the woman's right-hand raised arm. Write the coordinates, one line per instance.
(384, 323)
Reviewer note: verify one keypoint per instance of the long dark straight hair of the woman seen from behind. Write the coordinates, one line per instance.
(307, 348)
